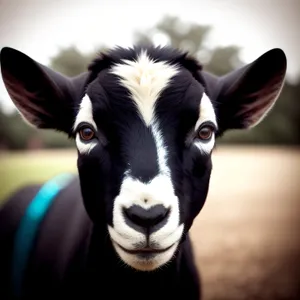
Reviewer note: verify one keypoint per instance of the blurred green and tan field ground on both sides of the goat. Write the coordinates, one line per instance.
(246, 238)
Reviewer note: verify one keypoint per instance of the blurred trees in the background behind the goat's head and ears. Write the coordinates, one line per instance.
(281, 126)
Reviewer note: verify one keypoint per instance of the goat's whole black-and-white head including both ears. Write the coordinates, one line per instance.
(145, 122)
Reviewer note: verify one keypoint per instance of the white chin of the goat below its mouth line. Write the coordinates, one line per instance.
(146, 262)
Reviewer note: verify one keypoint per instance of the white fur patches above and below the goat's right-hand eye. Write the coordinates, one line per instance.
(207, 114)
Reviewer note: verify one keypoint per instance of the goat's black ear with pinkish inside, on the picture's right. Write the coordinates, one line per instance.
(244, 96)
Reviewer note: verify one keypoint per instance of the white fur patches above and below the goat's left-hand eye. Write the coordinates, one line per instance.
(85, 114)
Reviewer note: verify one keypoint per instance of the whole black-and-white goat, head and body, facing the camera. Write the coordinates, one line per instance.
(144, 120)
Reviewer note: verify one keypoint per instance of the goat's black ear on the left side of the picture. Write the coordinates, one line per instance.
(45, 98)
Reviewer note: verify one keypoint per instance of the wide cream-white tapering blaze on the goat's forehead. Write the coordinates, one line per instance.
(145, 79)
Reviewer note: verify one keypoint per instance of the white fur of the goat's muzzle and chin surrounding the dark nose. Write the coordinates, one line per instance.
(158, 191)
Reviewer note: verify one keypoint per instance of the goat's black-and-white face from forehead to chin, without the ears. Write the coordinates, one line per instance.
(145, 130)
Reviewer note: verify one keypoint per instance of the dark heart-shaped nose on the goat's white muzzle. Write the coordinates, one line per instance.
(147, 218)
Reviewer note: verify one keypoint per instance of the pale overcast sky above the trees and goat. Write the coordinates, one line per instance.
(40, 27)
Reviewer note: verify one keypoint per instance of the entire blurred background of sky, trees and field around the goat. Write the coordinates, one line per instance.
(247, 236)
